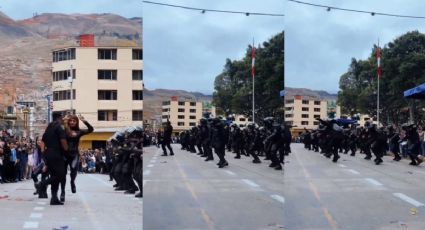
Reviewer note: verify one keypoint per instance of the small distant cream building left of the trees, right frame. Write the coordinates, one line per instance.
(302, 111)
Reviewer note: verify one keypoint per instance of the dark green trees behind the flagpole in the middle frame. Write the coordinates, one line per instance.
(233, 86)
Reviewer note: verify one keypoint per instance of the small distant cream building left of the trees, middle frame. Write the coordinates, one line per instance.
(182, 113)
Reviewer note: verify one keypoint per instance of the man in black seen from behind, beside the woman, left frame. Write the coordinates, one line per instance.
(54, 147)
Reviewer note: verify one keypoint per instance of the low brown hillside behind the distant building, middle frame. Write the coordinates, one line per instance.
(153, 100)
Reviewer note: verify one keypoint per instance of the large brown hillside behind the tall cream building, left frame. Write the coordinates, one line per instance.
(25, 47)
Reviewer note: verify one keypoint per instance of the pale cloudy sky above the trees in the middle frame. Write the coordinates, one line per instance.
(186, 49)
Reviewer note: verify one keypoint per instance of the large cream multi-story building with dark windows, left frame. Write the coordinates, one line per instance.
(102, 83)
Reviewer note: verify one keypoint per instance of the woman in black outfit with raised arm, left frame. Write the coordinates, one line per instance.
(73, 135)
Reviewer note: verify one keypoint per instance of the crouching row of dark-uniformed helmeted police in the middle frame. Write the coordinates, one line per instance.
(271, 140)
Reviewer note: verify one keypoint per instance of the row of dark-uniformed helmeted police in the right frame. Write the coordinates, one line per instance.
(342, 136)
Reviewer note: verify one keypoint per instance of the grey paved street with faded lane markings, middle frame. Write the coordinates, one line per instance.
(184, 192)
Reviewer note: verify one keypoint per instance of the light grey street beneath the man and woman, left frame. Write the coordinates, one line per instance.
(95, 206)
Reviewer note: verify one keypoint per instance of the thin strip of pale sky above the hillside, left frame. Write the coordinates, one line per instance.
(22, 9)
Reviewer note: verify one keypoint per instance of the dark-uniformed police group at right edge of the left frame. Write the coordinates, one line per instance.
(127, 162)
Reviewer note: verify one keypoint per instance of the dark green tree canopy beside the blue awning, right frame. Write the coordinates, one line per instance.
(403, 67)
